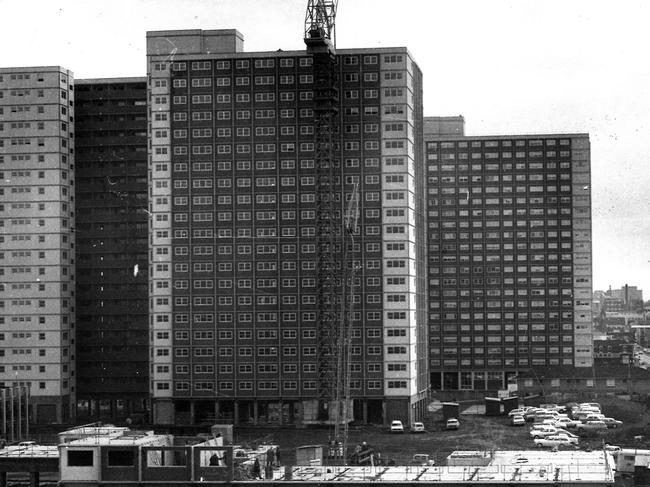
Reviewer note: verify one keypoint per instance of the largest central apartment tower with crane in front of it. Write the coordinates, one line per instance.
(234, 241)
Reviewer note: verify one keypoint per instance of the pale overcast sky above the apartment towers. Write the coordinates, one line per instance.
(507, 66)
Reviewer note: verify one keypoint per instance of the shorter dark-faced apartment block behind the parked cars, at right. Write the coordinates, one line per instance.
(510, 274)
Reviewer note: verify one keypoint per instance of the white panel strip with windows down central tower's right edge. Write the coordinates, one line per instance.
(398, 207)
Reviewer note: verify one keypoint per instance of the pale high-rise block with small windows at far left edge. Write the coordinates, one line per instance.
(37, 312)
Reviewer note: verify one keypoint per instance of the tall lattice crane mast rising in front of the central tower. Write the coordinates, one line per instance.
(332, 235)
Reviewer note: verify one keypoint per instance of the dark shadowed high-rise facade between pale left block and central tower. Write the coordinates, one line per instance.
(112, 332)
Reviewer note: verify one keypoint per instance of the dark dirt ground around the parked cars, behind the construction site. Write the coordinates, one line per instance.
(477, 432)
